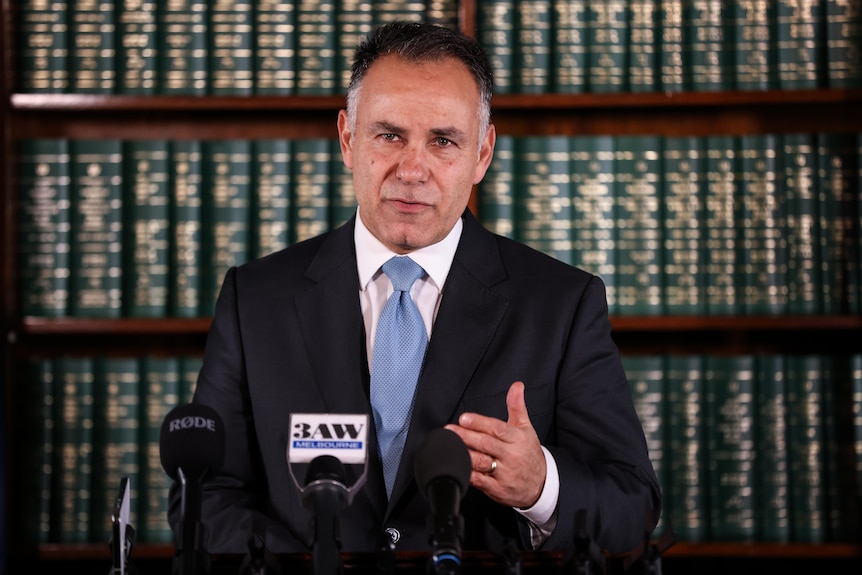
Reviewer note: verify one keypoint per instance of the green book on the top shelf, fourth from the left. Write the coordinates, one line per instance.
(183, 47)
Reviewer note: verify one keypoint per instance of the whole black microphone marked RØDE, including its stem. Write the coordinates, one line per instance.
(191, 446)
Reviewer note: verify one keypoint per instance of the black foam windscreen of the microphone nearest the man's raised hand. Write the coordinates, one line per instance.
(442, 454)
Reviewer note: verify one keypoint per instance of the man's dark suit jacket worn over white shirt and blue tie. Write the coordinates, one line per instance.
(288, 337)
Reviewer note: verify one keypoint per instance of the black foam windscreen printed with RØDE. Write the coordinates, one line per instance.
(192, 437)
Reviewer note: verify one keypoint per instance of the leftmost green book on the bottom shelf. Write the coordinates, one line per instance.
(36, 433)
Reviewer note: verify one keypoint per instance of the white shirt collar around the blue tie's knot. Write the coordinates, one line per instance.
(435, 259)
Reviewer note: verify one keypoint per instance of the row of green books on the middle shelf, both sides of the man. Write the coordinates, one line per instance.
(717, 225)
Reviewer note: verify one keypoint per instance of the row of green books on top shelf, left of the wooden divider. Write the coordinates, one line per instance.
(203, 47)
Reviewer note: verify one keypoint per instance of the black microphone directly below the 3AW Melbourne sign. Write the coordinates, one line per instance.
(325, 493)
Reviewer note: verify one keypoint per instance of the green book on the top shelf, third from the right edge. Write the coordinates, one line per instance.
(754, 56)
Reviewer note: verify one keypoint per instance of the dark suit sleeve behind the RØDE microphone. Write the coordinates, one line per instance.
(233, 501)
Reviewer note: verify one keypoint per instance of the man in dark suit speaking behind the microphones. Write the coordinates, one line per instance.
(519, 359)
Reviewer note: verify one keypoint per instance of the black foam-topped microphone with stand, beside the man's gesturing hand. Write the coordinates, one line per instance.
(442, 472)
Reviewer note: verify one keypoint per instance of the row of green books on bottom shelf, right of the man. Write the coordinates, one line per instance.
(761, 448)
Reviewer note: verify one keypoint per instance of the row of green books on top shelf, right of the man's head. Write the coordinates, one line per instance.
(566, 46)
